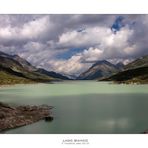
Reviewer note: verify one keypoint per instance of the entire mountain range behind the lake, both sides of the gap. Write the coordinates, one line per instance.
(14, 69)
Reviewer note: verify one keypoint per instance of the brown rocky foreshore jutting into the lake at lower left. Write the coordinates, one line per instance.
(12, 117)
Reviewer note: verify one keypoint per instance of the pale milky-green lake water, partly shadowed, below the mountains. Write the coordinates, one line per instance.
(84, 107)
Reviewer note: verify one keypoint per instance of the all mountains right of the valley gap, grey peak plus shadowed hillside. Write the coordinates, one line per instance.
(134, 72)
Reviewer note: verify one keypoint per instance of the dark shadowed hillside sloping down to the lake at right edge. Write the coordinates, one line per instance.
(134, 72)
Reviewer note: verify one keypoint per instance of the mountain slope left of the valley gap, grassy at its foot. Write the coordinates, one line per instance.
(14, 69)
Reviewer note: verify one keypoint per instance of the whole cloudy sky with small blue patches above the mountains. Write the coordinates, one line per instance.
(69, 44)
